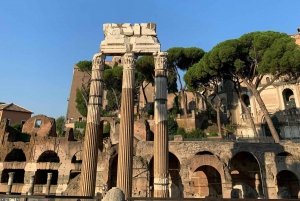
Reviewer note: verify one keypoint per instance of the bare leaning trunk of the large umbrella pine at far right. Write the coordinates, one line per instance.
(263, 109)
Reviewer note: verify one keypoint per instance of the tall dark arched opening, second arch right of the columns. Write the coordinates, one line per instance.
(245, 172)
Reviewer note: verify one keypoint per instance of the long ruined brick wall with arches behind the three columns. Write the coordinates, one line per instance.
(240, 169)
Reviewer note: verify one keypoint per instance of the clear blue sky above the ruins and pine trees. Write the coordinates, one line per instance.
(41, 40)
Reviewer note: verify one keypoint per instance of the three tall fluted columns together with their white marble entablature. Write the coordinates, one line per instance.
(128, 41)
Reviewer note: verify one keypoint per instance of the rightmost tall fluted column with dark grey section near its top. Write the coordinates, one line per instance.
(161, 150)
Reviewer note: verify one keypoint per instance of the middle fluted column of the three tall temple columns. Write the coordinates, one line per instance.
(125, 154)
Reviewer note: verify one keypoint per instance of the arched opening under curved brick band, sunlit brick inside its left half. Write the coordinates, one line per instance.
(207, 182)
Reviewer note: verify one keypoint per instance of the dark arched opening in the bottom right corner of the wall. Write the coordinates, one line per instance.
(287, 184)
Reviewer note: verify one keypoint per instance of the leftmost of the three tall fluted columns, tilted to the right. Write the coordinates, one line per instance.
(90, 148)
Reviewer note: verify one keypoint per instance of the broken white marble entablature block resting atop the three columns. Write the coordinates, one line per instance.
(123, 38)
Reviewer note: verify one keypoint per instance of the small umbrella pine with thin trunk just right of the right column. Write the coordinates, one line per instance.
(183, 58)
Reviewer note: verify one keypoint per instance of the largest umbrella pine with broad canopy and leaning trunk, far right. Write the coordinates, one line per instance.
(247, 60)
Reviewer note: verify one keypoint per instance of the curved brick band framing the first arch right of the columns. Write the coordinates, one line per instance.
(209, 160)
